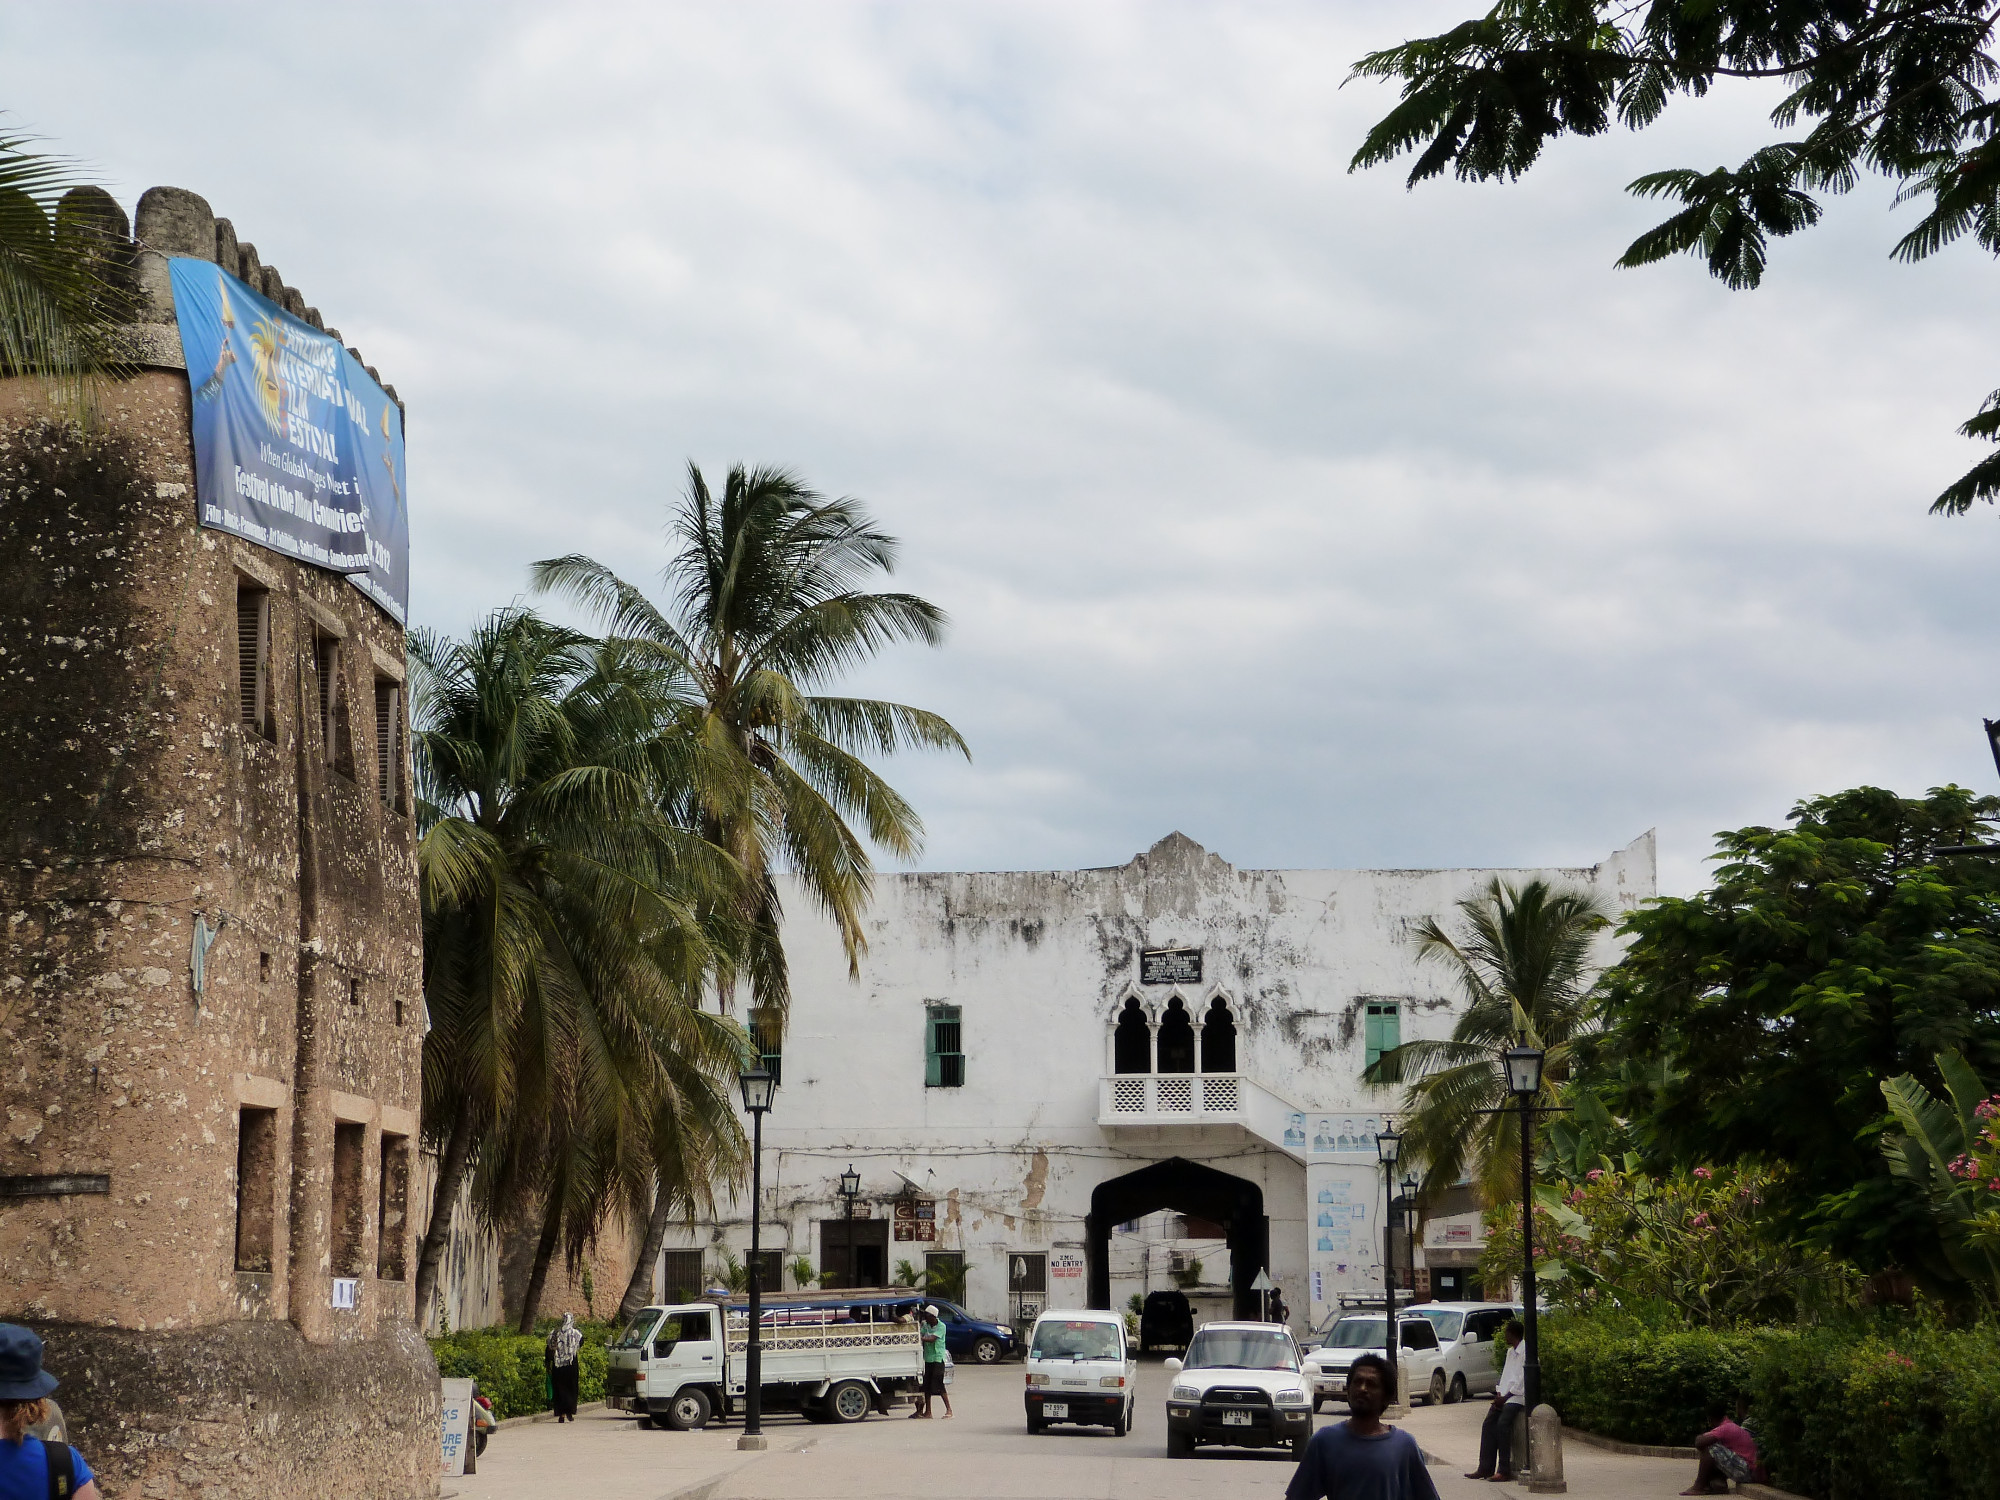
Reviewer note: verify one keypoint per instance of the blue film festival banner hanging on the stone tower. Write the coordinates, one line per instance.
(295, 447)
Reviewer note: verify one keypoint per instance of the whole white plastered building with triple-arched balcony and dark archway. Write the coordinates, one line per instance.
(1057, 1075)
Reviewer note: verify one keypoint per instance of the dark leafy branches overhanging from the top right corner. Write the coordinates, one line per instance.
(1903, 89)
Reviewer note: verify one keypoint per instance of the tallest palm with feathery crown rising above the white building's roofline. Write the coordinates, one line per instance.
(767, 605)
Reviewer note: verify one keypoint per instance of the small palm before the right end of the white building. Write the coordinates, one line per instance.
(1523, 959)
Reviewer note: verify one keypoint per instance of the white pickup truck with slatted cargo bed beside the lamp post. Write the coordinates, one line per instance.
(827, 1359)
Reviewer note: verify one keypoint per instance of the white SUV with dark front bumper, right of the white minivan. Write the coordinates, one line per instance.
(1241, 1385)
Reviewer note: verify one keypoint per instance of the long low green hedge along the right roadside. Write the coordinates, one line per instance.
(1885, 1413)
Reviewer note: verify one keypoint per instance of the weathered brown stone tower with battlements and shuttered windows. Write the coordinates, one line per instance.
(211, 1019)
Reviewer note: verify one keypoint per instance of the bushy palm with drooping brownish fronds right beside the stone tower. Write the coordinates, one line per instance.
(569, 929)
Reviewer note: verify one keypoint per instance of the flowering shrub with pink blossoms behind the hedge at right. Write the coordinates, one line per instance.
(1695, 1243)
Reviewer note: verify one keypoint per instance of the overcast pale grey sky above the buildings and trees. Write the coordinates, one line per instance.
(1327, 523)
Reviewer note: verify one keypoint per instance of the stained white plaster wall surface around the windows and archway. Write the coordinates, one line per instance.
(1039, 965)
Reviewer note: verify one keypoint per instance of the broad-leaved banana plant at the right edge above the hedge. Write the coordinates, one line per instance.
(1933, 1151)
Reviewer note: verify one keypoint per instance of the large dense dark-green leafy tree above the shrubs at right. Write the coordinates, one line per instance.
(1829, 957)
